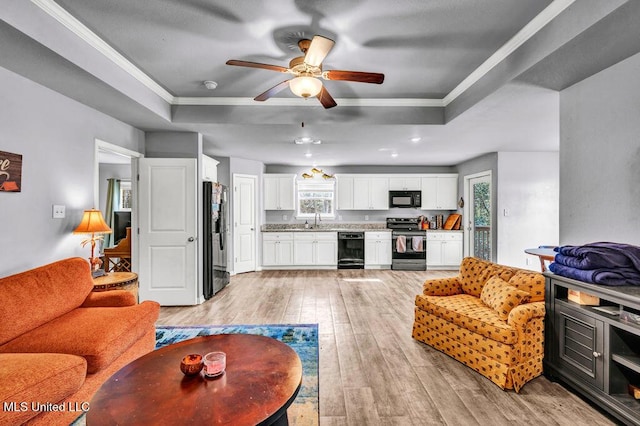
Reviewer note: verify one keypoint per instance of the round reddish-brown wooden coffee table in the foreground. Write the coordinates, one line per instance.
(262, 378)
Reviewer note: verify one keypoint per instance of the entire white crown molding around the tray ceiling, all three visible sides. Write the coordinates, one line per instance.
(78, 28)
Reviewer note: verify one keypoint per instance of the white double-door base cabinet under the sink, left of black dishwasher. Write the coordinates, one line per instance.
(315, 249)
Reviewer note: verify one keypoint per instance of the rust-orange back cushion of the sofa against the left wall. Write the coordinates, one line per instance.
(35, 297)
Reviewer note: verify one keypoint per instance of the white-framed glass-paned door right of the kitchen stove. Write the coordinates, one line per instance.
(478, 231)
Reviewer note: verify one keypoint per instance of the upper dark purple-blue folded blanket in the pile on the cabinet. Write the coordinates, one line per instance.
(599, 255)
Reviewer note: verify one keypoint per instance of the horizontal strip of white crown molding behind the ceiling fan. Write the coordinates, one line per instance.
(299, 102)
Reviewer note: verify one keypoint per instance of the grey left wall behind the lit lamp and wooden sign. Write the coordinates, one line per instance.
(56, 137)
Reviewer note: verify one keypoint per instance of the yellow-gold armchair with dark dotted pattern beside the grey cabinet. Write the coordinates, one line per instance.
(490, 317)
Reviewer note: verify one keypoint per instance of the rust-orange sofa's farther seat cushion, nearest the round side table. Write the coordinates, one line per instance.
(99, 335)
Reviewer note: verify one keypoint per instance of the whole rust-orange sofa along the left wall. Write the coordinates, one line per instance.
(59, 341)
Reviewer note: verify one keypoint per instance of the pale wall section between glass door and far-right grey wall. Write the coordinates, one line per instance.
(527, 205)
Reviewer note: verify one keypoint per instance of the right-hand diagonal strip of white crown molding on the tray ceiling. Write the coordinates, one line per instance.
(535, 25)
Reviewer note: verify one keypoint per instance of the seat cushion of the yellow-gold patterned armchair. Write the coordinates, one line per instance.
(469, 312)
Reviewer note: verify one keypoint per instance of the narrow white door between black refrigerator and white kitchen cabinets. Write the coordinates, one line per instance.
(244, 220)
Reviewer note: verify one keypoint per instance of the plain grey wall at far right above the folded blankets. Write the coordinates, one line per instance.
(600, 157)
